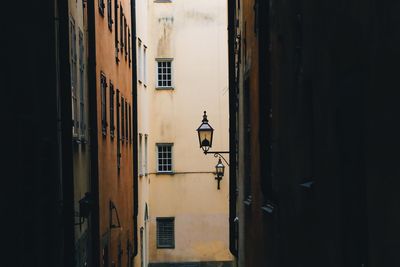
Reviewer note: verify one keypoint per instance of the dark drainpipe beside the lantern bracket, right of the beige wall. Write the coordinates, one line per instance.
(232, 129)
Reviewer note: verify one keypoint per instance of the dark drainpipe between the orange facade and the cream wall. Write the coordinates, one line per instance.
(135, 129)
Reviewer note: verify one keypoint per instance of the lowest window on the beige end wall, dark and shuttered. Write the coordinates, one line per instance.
(165, 232)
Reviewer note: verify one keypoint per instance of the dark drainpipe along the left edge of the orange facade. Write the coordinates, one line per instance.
(94, 166)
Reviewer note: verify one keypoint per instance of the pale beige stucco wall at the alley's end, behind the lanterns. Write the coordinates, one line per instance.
(194, 34)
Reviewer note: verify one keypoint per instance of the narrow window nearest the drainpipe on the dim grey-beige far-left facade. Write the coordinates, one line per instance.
(81, 86)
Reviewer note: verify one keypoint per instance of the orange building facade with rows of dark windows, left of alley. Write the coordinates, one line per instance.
(114, 102)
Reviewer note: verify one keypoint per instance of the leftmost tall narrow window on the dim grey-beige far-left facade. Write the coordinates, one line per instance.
(74, 94)
